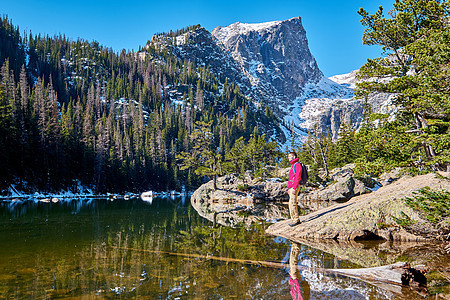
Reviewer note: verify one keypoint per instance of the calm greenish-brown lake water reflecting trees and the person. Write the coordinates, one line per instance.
(160, 250)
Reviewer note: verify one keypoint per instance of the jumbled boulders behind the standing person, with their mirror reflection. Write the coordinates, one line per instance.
(235, 205)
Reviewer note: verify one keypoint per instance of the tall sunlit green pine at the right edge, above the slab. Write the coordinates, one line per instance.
(415, 38)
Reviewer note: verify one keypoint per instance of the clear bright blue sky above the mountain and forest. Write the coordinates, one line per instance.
(333, 28)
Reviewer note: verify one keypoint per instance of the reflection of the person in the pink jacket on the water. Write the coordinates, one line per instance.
(295, 279)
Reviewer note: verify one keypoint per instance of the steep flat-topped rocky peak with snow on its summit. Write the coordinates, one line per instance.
(274, 56)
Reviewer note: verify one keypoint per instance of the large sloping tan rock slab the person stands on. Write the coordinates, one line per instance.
(361, 216)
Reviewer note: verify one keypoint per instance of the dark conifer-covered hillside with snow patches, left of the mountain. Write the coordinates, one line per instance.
(77, 113)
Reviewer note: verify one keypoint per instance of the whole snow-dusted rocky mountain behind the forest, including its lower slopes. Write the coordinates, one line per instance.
(272, 64)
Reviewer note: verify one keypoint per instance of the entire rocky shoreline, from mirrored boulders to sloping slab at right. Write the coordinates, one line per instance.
(346, 210)
